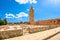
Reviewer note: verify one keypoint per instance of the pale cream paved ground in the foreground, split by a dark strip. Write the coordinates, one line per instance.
(39, 35)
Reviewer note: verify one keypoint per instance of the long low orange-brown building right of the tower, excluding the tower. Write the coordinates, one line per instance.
(48, 22)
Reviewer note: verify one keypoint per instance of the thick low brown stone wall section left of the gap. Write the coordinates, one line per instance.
(10, 33)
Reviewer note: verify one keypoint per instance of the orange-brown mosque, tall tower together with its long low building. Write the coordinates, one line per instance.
(42, 22)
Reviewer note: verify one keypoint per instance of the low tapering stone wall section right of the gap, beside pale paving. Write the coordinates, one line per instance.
(31, 30)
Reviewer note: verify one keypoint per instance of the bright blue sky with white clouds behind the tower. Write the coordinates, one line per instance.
(18, 10)
